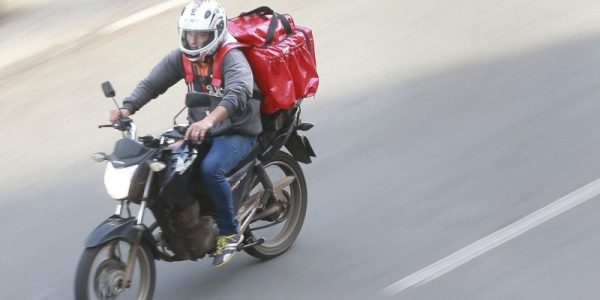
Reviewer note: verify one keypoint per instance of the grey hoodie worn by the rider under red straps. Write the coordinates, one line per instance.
(244, 111)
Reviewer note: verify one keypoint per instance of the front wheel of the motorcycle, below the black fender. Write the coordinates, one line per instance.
(101, 273)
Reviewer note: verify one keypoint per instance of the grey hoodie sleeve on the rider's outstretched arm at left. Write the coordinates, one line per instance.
(164, 75)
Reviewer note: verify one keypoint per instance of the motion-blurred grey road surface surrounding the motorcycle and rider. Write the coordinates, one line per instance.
(437, 124)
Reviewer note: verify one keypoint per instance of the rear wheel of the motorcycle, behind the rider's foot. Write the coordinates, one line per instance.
(291, 219)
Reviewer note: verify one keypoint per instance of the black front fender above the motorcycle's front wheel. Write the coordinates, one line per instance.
(117, 227)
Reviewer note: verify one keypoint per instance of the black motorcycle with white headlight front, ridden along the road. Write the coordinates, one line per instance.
(160, 175)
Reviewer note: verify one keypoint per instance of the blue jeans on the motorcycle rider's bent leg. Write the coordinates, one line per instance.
(225, 153)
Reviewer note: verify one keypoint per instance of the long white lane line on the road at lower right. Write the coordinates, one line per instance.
(496, 239)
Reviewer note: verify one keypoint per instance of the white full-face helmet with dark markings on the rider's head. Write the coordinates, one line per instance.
(206, 18)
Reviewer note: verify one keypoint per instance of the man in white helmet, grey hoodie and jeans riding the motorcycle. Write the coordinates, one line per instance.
(234, 123)
